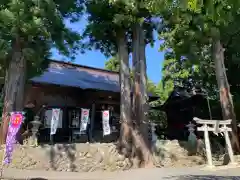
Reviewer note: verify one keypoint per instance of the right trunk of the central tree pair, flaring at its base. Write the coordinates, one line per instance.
(140, 106)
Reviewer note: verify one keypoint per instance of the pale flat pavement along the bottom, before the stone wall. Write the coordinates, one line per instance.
(193, 173)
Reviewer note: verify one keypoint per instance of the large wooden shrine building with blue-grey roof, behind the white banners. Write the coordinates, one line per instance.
(72, 87)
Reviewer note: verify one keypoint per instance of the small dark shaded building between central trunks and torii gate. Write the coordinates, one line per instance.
(181, 107)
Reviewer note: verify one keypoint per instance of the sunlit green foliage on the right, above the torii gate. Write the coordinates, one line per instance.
(188, 28)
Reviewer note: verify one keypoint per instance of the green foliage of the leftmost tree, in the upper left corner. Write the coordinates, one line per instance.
(39, 26)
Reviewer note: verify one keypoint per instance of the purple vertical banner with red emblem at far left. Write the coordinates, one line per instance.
(15, 122)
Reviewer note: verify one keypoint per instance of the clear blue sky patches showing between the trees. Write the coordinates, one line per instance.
(97, 59)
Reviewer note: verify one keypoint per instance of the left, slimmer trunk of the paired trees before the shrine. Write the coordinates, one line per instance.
(125, 107)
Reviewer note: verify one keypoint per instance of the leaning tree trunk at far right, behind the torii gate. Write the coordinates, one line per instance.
(224, 90)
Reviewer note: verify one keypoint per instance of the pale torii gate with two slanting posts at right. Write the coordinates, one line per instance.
(215, 126)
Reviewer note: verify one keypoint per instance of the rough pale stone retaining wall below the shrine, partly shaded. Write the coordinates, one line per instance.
(84, 157)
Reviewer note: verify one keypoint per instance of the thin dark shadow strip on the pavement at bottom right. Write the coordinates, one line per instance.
(203, 177)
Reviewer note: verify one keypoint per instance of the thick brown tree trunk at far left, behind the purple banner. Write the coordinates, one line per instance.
(14, 87)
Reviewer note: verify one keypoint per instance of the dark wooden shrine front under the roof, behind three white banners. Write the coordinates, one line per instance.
(70, 101)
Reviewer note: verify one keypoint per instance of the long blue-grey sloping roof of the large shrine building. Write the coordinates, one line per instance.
(72, 75)
